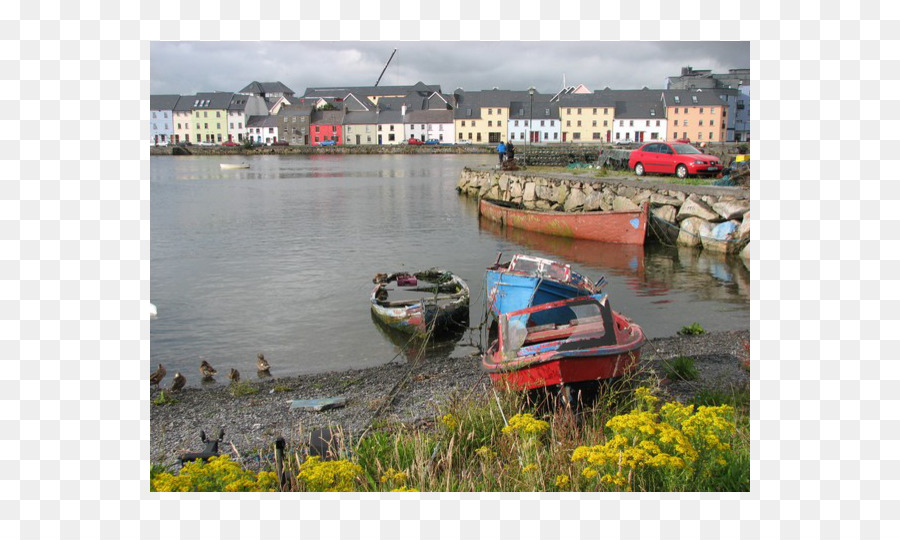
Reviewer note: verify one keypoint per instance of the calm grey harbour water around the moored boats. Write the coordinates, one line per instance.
(279, 258)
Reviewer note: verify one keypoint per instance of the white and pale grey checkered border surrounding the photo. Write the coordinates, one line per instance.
(74, 273)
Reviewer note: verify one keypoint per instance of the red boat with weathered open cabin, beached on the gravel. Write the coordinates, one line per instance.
(563, 343)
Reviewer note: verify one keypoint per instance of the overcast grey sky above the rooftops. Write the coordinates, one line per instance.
(190, 67)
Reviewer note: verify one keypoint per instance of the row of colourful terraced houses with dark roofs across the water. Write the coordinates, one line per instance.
(266, 113)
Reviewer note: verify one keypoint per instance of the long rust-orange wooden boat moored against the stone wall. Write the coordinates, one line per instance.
(618, 227)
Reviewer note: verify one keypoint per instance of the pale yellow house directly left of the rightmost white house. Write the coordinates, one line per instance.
(586, 118)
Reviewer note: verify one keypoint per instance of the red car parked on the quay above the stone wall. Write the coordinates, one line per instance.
(668, 158)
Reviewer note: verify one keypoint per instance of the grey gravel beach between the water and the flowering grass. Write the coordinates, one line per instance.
(253, 421)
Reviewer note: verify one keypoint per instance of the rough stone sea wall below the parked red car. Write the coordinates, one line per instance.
(707, 217)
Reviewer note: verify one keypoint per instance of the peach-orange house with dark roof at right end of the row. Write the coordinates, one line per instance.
(697, 115)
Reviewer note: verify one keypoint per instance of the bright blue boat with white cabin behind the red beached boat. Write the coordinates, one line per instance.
(527, 281)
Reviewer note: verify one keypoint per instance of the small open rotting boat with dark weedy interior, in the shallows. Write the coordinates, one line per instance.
(432, 301)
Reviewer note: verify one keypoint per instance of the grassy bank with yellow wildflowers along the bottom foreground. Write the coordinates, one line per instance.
(628, 439)
